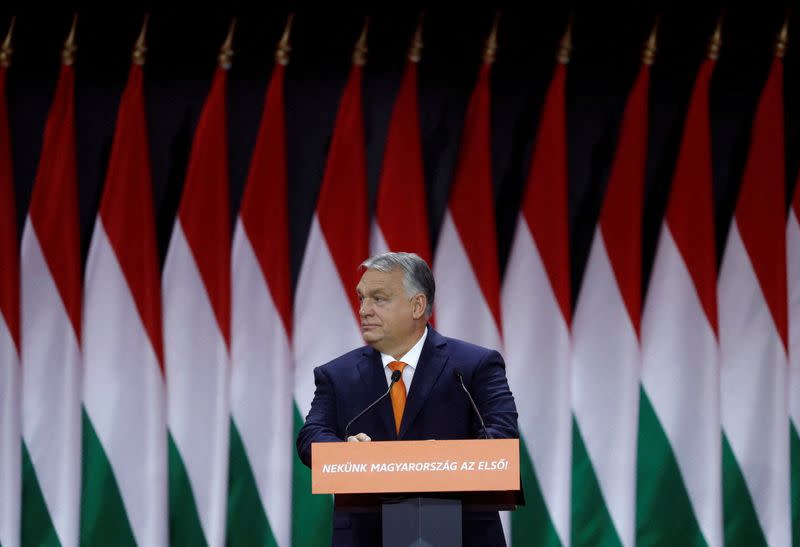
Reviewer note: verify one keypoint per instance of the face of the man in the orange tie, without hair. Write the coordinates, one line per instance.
(389, 318)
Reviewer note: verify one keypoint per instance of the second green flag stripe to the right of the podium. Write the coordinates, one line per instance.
(591, 521)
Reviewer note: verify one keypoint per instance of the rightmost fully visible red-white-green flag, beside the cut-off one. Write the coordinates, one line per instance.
(753, 339)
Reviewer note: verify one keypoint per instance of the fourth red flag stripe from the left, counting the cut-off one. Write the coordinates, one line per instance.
(204, 210)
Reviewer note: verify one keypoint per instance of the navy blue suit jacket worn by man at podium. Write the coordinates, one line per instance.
(436, 408)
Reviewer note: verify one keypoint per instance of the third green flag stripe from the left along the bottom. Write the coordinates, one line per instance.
(184, 521)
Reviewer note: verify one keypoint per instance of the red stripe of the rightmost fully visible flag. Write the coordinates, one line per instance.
(760, 210)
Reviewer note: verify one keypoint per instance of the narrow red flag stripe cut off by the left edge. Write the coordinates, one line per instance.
(9, 250)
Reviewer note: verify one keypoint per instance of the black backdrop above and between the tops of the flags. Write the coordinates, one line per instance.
(605, 60)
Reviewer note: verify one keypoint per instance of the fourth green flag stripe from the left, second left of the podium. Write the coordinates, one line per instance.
(247, 521)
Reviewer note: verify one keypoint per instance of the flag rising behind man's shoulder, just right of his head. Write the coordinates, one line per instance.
(466, 264)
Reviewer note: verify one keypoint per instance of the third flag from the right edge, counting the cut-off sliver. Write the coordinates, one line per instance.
(678, 471)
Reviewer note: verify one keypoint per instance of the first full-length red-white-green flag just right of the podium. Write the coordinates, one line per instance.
(536, 315)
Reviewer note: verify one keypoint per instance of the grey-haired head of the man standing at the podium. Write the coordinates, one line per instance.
(396, 294)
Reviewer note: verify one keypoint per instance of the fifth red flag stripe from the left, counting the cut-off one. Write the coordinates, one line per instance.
(264, 209)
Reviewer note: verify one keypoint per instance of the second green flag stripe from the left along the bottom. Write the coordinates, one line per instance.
(104, 520)
